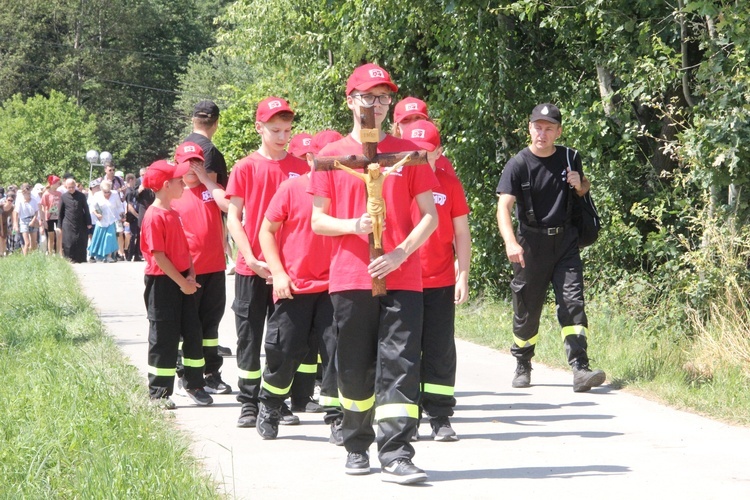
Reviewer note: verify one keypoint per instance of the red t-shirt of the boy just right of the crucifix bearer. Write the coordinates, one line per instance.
(437, 254)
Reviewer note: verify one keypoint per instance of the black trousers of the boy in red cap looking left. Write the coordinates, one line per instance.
(253, 304)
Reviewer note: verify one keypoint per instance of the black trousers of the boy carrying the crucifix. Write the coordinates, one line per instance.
(378, 357)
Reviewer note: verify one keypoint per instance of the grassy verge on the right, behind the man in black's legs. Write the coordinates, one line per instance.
(642, 349)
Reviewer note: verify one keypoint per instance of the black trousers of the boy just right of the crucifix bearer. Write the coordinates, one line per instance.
(438, 352)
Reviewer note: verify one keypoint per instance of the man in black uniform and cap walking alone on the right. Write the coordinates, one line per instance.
(545, 248)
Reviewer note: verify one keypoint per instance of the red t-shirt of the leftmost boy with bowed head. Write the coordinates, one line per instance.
(161, 231)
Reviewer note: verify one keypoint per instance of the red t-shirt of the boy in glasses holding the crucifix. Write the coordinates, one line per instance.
(348, 195)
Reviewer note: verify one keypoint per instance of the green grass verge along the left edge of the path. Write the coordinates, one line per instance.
(76, 421)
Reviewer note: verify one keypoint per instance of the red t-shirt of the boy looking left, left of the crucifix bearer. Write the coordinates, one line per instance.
(255, 179)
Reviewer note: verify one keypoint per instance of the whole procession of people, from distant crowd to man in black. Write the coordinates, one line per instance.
(312, 242)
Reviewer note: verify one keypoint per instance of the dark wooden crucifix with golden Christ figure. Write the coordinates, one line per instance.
(371, 162)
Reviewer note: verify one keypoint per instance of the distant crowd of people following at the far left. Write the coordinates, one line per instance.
(102, 218)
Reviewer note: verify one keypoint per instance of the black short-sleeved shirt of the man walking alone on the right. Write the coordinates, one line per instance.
(549, 184)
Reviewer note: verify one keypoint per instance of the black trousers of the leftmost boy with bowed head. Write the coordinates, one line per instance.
(171, 315)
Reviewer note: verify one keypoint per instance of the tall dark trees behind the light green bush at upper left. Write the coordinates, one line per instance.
(118, 60)
